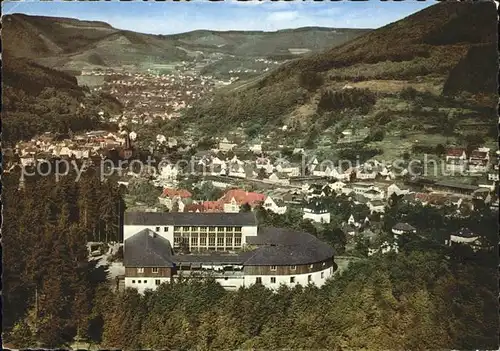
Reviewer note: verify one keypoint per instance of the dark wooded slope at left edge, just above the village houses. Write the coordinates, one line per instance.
(37, 99)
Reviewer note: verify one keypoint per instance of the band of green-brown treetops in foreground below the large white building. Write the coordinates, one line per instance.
(416, 299)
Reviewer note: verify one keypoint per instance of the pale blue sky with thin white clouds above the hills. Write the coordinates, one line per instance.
(170, 17)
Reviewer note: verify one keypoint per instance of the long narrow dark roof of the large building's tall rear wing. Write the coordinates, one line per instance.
(191, 219)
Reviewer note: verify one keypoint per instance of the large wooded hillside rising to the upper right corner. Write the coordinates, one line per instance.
(442, 45)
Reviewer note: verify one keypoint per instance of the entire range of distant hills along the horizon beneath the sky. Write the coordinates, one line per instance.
(71, 44)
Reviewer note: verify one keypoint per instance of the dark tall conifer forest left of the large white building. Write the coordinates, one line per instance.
(48, 282)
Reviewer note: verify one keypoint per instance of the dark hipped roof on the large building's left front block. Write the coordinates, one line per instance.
(147, 249)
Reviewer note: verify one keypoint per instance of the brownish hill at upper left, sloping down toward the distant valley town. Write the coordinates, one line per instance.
(70, 44)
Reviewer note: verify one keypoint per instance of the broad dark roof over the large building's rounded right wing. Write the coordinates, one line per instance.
(280, 246)
